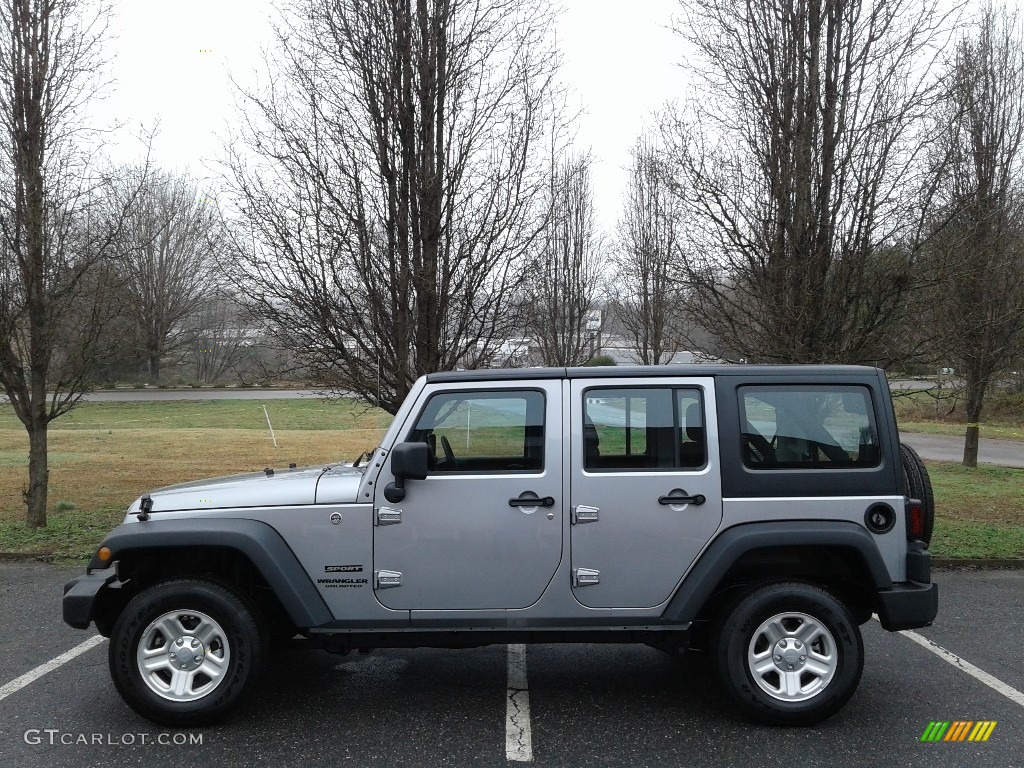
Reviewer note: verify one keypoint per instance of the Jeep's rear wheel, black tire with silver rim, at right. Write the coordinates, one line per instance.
(825, 670)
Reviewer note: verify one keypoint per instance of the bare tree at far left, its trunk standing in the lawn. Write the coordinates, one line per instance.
(54, 304)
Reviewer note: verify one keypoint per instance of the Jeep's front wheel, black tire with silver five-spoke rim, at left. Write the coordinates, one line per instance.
(231, 647)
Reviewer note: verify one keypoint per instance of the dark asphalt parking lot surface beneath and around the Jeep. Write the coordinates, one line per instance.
(588, 705)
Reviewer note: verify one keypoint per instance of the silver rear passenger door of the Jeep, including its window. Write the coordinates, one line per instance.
(647, 494)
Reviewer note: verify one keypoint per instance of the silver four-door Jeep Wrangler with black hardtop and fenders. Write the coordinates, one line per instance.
(757, 514)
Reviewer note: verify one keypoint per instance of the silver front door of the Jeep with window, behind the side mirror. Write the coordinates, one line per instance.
(472, 536)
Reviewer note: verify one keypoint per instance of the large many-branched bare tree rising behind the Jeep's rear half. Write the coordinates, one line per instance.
(802, 173)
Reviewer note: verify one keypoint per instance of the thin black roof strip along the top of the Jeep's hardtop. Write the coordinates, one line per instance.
(626, 372)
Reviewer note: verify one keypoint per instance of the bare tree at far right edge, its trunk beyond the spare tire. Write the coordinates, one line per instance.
(979, 305)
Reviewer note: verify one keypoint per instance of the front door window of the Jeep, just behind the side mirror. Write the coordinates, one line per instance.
(484, 432)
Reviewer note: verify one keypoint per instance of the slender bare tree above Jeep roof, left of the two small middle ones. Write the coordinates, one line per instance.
(565, 270)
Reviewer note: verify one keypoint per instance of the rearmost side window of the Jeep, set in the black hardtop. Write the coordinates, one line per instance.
(808, 428)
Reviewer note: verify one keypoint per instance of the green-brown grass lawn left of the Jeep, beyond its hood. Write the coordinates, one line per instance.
(104, 455)
